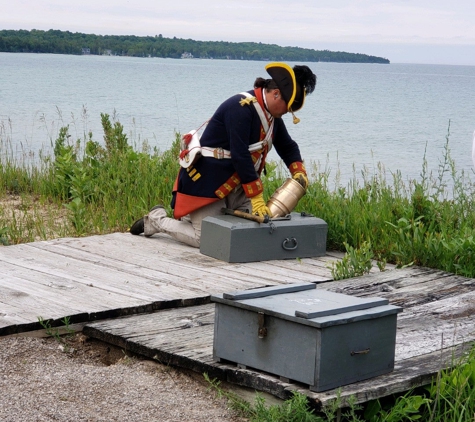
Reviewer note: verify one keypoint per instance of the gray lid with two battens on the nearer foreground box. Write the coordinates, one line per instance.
(305, 304)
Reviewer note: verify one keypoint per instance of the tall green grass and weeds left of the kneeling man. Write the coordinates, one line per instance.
(101, 187)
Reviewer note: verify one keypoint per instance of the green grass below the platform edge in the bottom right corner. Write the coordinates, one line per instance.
(450, 398)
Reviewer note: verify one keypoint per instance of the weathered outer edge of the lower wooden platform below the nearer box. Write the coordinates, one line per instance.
(408, 374)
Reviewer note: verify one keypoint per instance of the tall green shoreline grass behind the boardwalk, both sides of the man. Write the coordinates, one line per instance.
(102, 187)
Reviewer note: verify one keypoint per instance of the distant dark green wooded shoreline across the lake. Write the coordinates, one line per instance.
(65, 42)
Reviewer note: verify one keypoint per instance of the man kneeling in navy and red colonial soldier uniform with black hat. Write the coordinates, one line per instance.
(222, 167)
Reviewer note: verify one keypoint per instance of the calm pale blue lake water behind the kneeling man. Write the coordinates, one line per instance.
(359, 115)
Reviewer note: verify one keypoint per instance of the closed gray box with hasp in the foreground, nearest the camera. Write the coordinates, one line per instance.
(313, 336)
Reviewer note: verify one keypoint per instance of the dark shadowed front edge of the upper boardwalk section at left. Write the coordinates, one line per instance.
(85, 317)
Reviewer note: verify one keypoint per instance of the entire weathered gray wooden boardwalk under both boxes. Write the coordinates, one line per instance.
(151, 296)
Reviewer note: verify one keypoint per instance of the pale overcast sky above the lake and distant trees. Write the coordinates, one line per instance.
(404, 31)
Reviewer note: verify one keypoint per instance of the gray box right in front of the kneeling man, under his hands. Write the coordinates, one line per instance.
(235, 239)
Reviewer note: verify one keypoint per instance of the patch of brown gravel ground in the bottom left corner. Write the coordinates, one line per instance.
(42, 379)
